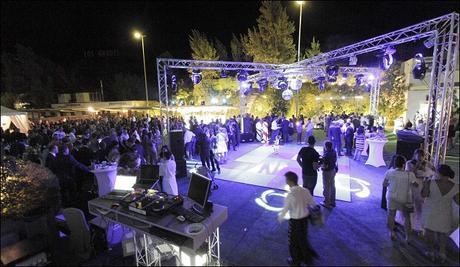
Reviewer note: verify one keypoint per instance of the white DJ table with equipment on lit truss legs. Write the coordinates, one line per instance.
(193, 244)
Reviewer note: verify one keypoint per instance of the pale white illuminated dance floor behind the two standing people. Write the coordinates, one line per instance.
(260, 165)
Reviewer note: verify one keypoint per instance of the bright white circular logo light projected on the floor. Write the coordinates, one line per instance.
(264, 200)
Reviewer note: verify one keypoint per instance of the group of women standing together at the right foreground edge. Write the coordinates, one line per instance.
(423, 194)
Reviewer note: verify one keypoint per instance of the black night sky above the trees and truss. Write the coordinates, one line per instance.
(63, 31)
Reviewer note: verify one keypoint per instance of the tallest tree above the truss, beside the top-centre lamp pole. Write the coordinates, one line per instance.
(271, 40)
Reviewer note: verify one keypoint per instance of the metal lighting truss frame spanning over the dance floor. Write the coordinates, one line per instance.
(443, 32)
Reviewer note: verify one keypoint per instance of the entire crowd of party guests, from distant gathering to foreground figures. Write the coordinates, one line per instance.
(70, 150)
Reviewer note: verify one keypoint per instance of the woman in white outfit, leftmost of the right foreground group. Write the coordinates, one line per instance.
(399, 184)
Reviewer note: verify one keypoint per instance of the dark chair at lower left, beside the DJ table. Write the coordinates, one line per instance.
(80, 235)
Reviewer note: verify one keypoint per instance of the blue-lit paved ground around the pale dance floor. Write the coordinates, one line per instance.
(354, 233)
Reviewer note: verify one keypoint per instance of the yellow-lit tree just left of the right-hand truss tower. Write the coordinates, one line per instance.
(392, 100)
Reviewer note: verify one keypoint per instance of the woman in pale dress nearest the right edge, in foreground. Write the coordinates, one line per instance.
(437, 210)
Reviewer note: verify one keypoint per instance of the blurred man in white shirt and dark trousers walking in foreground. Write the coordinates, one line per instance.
(297, 203)
